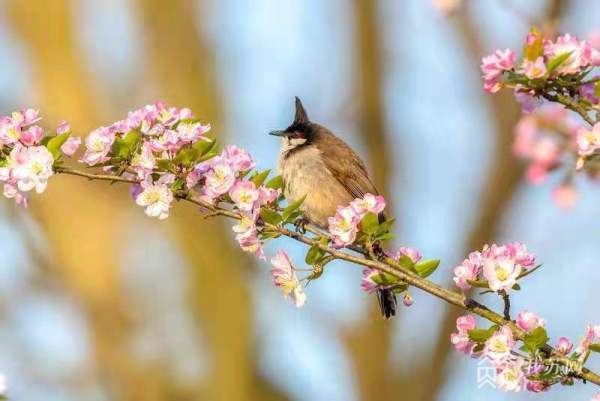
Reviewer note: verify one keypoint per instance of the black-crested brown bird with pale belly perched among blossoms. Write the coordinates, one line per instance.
(315, 163)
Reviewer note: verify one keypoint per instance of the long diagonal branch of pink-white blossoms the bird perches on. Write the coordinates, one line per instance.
(165, 154)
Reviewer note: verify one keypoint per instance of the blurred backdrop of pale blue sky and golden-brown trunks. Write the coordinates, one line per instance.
(99, 302)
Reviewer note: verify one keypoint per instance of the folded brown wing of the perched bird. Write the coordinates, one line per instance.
(350, 171)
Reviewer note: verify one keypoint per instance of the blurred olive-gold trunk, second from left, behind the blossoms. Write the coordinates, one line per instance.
(182, 67)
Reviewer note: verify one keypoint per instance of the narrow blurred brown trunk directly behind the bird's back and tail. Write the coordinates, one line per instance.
(369, 343)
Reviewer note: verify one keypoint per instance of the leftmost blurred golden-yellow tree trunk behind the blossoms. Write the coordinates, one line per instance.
(83, 243)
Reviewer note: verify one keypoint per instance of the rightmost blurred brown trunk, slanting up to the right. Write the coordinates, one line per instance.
(505, 175)
